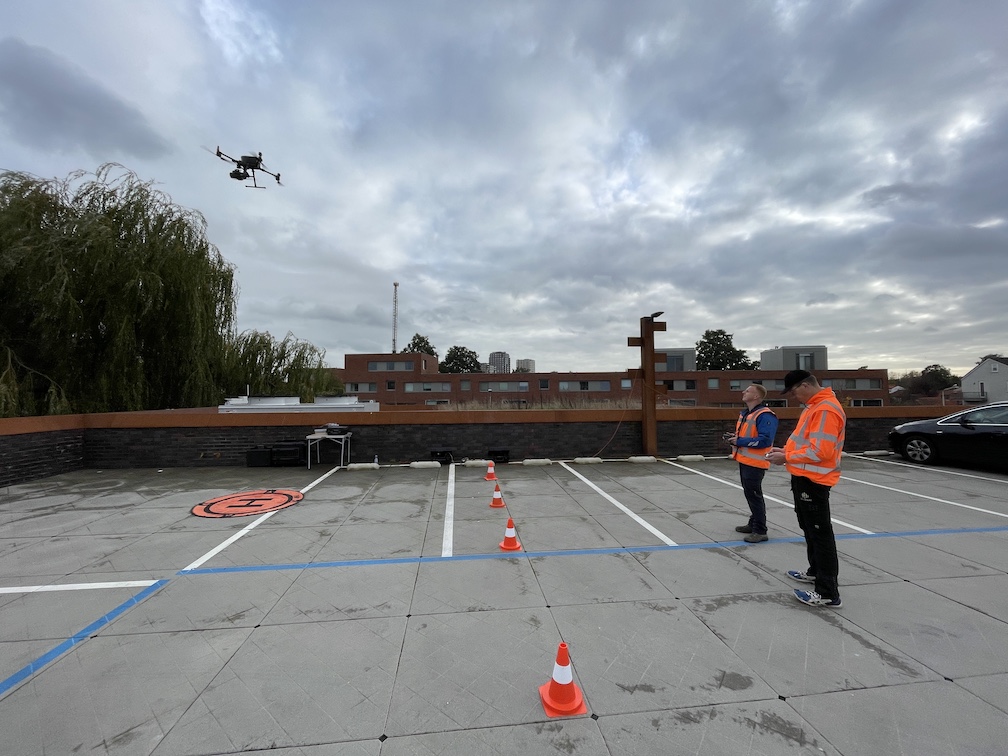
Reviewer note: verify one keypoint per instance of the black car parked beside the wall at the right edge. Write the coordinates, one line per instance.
(975, 436)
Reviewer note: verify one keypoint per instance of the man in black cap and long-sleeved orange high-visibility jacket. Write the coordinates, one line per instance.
(812, 455)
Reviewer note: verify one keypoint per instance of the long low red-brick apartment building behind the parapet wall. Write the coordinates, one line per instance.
(413, 381)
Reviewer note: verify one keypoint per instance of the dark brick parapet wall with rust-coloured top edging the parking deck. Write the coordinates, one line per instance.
(38, 448)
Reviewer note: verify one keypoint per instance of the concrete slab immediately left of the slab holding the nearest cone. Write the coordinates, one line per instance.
(295, 686)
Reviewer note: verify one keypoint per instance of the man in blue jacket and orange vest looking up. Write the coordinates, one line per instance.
(754, 435)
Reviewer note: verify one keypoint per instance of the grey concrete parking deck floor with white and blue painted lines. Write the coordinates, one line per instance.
(377, 615)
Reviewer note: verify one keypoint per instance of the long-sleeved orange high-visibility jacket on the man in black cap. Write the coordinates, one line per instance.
(814, 450)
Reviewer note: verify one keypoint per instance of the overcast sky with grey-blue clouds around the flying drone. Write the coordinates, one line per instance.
(538, 176)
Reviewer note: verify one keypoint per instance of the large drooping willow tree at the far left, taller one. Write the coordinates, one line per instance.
(113, 298)
